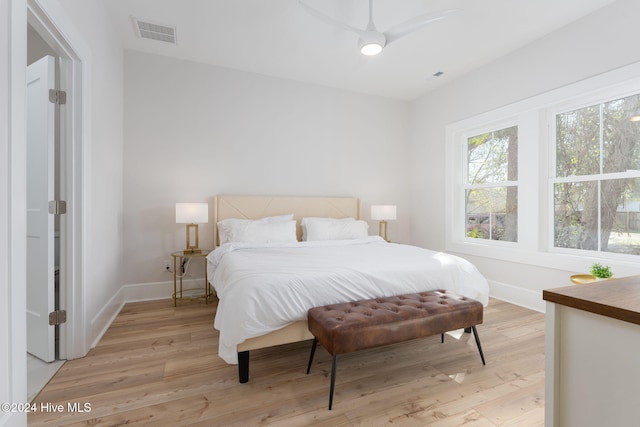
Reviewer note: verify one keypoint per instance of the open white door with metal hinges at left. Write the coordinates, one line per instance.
(40, 224)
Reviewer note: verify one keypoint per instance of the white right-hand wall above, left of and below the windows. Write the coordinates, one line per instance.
(595, 44)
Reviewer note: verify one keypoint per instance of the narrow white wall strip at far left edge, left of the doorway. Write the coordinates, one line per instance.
(12, 208)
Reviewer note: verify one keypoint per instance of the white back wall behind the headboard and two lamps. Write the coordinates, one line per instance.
(193, 131)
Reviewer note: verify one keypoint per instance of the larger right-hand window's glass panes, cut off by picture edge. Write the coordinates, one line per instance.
(596, 178)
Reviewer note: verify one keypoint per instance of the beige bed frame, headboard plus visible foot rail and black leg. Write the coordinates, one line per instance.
(256, 207)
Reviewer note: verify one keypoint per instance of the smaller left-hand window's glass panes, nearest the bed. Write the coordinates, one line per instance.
(491, 189)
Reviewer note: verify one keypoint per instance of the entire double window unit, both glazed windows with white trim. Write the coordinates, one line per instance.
(552, 180)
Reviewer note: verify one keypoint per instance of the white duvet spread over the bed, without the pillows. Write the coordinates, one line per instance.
(263, 287)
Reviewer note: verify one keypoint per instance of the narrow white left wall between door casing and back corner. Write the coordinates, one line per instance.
(103, 164)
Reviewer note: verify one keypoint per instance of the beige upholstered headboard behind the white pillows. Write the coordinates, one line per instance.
(256, 207)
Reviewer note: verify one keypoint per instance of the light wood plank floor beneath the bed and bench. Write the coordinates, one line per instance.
(158, 365)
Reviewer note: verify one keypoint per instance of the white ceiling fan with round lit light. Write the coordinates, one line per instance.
(371, 41)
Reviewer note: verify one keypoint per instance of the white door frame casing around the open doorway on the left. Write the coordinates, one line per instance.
(52, 24)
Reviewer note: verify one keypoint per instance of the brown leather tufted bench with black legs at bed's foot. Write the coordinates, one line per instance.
(343, 328)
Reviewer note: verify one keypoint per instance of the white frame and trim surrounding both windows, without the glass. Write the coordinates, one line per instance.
(535, 118)
